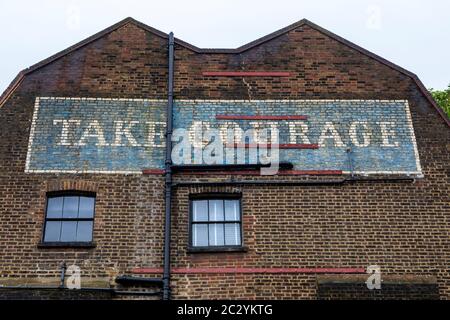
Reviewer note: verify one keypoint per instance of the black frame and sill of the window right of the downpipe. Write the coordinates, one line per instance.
(209, 248)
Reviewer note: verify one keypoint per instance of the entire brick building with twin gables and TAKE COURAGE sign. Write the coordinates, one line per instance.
(84, 180)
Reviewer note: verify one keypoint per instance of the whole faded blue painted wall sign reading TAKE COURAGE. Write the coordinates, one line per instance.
(127, 135)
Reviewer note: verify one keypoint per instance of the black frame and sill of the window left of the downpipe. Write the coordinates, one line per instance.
(68, 193)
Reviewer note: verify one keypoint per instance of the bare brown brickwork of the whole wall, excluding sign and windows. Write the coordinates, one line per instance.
(403, 227)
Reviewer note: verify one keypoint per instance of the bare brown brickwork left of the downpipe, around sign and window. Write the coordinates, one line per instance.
(129, 211)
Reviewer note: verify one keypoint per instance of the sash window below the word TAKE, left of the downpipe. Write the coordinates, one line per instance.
(69, 218)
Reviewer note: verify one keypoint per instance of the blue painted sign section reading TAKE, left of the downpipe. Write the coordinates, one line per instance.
(96, 135)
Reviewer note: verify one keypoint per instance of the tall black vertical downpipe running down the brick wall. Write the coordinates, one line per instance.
(168, 174)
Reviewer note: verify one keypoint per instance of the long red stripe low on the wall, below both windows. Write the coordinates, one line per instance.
(230, 270)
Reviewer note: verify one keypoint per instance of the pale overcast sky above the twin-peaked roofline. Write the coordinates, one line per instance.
(412, 33)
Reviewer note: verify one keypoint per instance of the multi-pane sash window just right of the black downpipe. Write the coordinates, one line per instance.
(216, 222)
